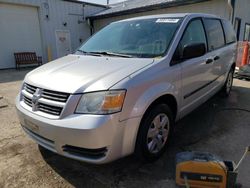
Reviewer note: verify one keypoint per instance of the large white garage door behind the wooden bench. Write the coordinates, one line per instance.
(19, 32)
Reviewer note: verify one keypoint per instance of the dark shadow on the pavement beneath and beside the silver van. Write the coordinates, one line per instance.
(205, 129)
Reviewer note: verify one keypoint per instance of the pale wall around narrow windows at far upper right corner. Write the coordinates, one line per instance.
(242, 11)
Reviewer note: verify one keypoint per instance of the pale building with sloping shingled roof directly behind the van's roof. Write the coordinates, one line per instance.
(237, 11)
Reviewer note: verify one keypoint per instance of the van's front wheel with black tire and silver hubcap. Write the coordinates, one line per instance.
(154, 132)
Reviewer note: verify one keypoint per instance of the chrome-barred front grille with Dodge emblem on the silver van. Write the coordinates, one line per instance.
(43, 100)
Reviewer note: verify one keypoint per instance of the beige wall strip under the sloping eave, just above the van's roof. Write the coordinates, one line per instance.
(217, 7)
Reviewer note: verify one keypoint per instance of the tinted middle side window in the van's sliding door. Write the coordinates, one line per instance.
(215, 33)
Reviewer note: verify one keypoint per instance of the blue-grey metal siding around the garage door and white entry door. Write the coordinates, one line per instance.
(59, 12)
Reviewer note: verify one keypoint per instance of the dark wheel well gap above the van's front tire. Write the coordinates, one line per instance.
(166, 99)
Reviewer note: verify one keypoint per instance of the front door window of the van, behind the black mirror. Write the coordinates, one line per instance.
(194, 34)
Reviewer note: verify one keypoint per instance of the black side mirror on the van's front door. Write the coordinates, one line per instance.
(193, 50)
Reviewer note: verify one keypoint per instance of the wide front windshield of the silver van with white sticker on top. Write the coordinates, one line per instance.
(146, 38)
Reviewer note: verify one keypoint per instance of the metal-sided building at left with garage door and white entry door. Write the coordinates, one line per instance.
(51, 28)
